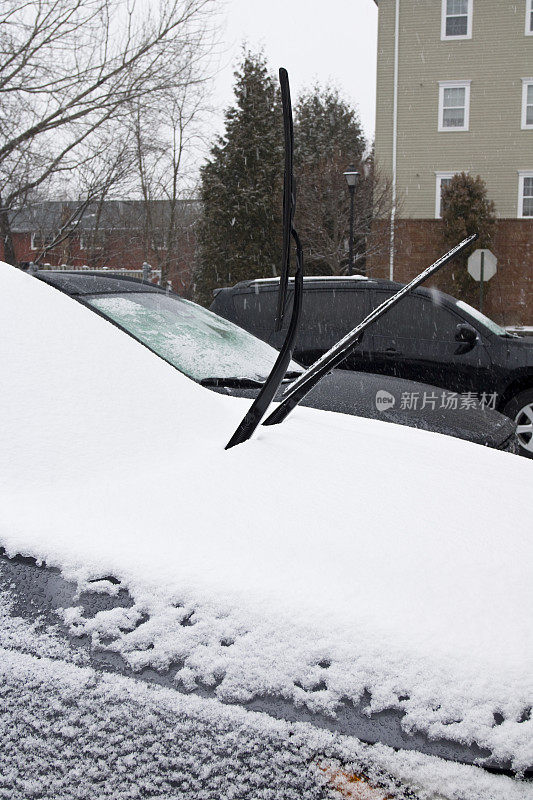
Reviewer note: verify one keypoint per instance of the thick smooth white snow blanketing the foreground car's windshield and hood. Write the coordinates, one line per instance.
(331, 558)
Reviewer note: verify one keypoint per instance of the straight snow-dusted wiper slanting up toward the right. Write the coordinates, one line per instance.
(333, 357)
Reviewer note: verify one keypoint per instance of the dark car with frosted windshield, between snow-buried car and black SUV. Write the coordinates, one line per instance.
(225, 358)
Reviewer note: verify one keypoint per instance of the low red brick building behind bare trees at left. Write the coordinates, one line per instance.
(113, 235)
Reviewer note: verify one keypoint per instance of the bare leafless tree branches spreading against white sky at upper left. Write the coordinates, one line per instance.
(71, 68)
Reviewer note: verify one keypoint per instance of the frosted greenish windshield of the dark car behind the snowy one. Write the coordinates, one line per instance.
(194, 340)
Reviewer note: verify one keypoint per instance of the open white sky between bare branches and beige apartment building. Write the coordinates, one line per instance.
(330, 41)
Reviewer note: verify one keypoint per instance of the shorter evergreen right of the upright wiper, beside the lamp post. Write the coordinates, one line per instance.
(328, 138)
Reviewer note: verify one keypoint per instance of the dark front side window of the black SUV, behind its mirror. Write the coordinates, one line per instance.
(415, 317)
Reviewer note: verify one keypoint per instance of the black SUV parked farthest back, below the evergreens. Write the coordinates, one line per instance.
(428, 337)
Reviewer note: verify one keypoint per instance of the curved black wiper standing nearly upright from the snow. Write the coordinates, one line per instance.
(261, 403)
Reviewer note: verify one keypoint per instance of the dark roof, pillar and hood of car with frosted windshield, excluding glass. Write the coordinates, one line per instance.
(402, 401)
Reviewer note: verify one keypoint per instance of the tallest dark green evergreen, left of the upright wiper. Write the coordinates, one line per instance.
(241, 189)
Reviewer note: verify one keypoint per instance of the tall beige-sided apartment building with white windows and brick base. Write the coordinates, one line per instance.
(454, 94)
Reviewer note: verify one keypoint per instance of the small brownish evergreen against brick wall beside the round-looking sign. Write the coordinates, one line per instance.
(466, 210)
